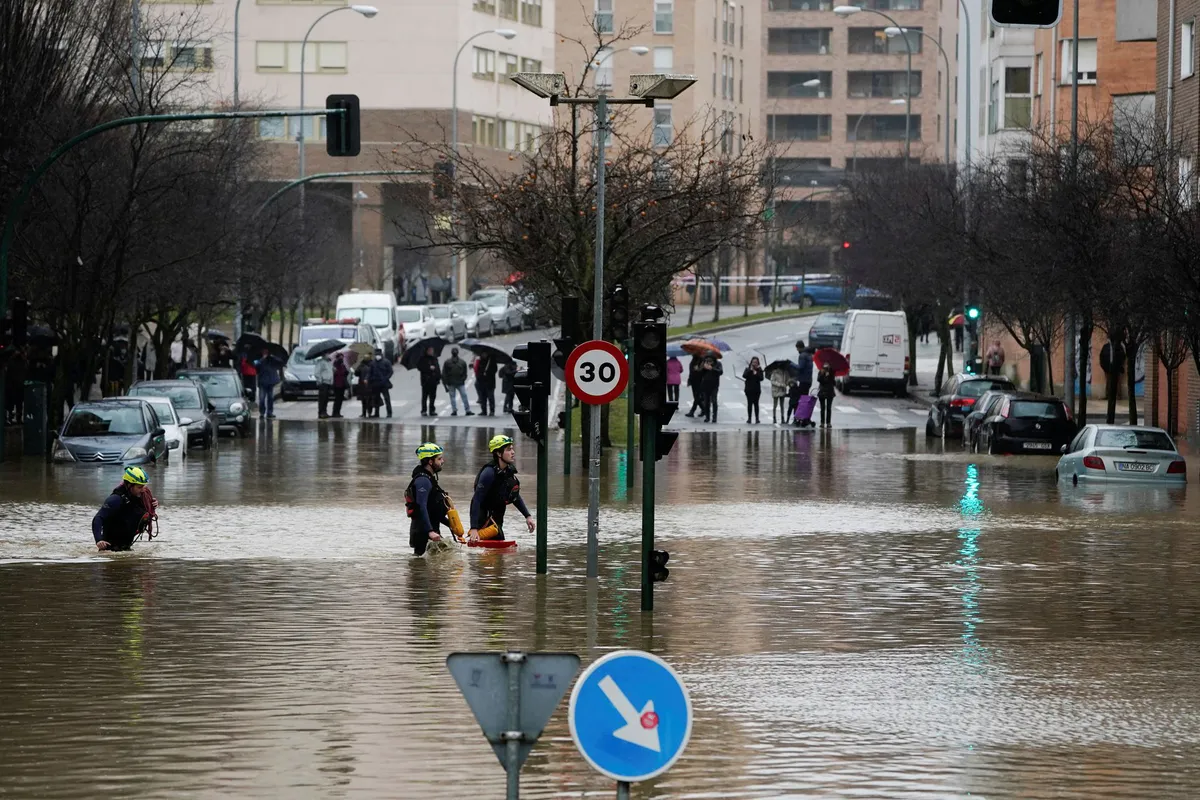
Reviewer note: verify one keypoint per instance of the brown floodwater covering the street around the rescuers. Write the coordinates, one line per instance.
(857, 616)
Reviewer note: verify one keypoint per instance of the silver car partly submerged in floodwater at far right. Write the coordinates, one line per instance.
(1115, 454)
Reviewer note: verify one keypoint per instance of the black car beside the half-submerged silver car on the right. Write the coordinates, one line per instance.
(1027, 423)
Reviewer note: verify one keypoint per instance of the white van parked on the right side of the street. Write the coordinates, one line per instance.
(877, 346)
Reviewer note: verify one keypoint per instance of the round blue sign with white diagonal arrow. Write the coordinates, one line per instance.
(631, 715)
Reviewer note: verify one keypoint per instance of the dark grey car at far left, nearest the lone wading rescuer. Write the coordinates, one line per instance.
(118, 431)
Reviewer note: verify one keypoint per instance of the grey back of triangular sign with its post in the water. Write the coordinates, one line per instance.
(513, 696)
